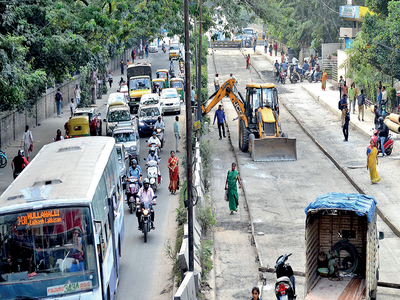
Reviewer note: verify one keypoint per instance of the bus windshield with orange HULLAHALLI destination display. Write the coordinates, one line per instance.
(47, 253)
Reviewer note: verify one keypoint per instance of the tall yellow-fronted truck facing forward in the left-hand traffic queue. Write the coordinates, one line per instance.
(139, 78)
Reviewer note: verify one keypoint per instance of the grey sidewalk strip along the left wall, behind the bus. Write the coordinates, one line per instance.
(46, 131)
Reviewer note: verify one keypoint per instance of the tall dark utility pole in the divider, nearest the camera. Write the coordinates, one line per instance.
(188, 139)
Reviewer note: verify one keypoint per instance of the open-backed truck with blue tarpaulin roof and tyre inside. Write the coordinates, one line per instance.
(341, 236)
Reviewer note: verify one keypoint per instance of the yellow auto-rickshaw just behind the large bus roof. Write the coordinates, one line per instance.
(85, 122)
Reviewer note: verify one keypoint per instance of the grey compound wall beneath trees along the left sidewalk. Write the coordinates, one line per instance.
(12, 124)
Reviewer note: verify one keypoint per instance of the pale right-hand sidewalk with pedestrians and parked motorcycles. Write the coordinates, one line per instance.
(328, 98)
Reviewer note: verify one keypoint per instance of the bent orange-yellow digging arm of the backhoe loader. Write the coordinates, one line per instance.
(226, 90)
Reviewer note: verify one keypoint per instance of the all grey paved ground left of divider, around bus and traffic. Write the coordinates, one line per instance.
(145, 270)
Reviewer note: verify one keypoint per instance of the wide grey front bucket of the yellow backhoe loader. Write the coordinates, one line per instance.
(273, 149)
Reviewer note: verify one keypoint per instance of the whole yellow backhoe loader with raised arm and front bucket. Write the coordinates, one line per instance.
(260, 130)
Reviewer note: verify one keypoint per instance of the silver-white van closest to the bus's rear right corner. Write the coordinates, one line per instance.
(129, 137)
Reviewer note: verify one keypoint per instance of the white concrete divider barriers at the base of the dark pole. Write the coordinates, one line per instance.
(192, 279)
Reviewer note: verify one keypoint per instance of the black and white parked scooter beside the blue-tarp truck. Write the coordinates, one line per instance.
(285, 281)
